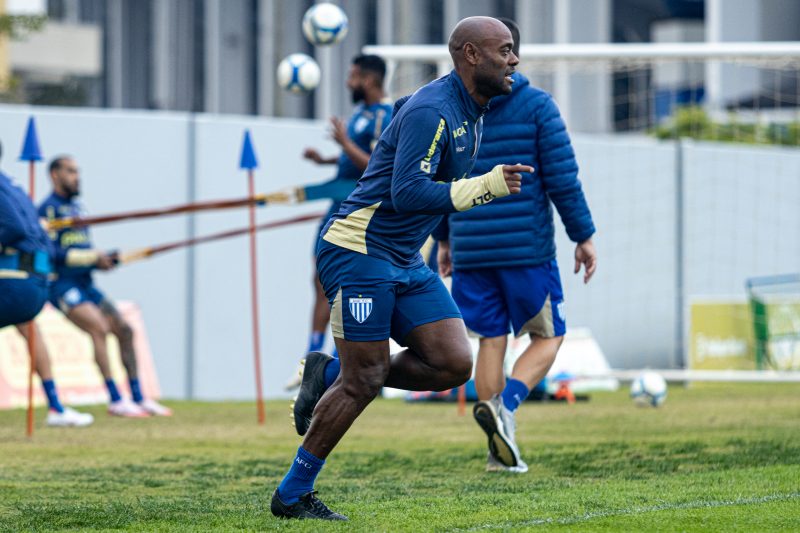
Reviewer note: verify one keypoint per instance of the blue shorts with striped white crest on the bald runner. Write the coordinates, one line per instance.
(372, 299)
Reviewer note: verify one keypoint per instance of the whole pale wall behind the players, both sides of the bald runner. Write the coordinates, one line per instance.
(739, 204)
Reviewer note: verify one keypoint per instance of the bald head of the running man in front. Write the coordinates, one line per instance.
(482, 53)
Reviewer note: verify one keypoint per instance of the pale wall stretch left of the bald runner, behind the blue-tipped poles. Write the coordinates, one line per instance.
(134, 160)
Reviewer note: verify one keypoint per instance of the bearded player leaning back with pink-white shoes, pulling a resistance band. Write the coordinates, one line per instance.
(74, 293)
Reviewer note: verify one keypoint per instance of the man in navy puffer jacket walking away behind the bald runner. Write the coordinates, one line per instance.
(502, 257)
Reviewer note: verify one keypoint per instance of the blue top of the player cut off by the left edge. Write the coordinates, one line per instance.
(19, 226)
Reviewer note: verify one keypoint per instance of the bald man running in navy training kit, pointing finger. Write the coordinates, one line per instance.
(369, 263)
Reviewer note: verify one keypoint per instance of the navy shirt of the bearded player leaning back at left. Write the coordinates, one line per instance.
(66, 239)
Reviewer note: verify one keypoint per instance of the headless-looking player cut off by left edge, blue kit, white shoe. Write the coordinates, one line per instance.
(24, 268)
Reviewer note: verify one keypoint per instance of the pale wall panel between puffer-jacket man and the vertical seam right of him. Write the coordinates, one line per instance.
(630, 304)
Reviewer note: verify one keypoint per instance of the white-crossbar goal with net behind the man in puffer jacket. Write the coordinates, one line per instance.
(689, 158)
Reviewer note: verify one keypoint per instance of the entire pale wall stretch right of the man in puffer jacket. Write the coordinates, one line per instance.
(740, 219)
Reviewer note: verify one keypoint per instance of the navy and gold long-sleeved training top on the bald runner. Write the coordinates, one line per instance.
(432, 141)
